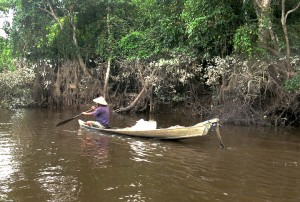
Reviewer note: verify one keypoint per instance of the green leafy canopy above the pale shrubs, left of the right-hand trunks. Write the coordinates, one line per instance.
(147, 29)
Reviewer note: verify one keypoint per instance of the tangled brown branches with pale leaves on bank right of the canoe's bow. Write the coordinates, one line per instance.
(254, 91)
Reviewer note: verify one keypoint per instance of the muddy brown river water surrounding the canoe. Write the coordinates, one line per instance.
(41, 162)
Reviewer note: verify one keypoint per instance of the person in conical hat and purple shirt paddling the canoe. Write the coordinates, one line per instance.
(100, 112)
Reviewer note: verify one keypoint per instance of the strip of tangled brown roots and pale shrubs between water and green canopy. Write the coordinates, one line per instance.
(239, 92)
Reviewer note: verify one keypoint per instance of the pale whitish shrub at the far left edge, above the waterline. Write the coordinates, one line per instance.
(16, 88)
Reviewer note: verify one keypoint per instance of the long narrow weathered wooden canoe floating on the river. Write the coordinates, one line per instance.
(175, 132)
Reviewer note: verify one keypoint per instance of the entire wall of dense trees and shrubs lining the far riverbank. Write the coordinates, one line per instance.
(238, 60)
